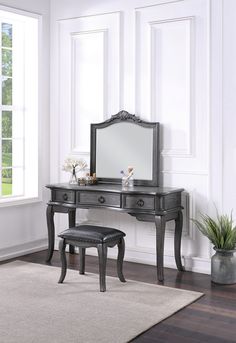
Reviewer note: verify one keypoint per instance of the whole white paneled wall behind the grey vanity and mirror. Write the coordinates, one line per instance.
(152, 58)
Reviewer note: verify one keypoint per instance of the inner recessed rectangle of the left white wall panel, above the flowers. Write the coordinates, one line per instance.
(88, 86)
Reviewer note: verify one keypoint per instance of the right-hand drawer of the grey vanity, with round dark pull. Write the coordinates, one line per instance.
(139, 202)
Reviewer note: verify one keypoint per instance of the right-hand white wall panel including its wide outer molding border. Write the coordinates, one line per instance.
(172, 47)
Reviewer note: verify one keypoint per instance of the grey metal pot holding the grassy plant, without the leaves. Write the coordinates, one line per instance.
(223, 267)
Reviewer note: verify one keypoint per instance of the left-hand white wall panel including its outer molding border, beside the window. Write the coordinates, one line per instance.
(89, 77)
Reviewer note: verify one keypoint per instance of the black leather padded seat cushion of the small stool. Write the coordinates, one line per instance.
(92, 234)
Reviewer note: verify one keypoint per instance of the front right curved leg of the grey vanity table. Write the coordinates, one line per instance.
(160, 236)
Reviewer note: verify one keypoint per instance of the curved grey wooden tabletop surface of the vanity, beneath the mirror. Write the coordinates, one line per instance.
(106, 187)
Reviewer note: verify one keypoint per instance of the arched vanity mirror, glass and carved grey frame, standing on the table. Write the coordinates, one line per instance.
(121, 141)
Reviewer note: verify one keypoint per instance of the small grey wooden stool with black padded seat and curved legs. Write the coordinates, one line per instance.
(86, 236)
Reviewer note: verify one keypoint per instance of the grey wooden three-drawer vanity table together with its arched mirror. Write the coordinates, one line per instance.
(123, 140)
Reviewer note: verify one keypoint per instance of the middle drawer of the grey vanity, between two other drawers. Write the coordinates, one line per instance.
(100, 199)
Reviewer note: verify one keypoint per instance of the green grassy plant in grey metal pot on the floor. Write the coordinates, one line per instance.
(222, 234)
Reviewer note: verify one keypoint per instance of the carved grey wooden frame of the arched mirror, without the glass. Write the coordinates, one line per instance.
(131, 118)
